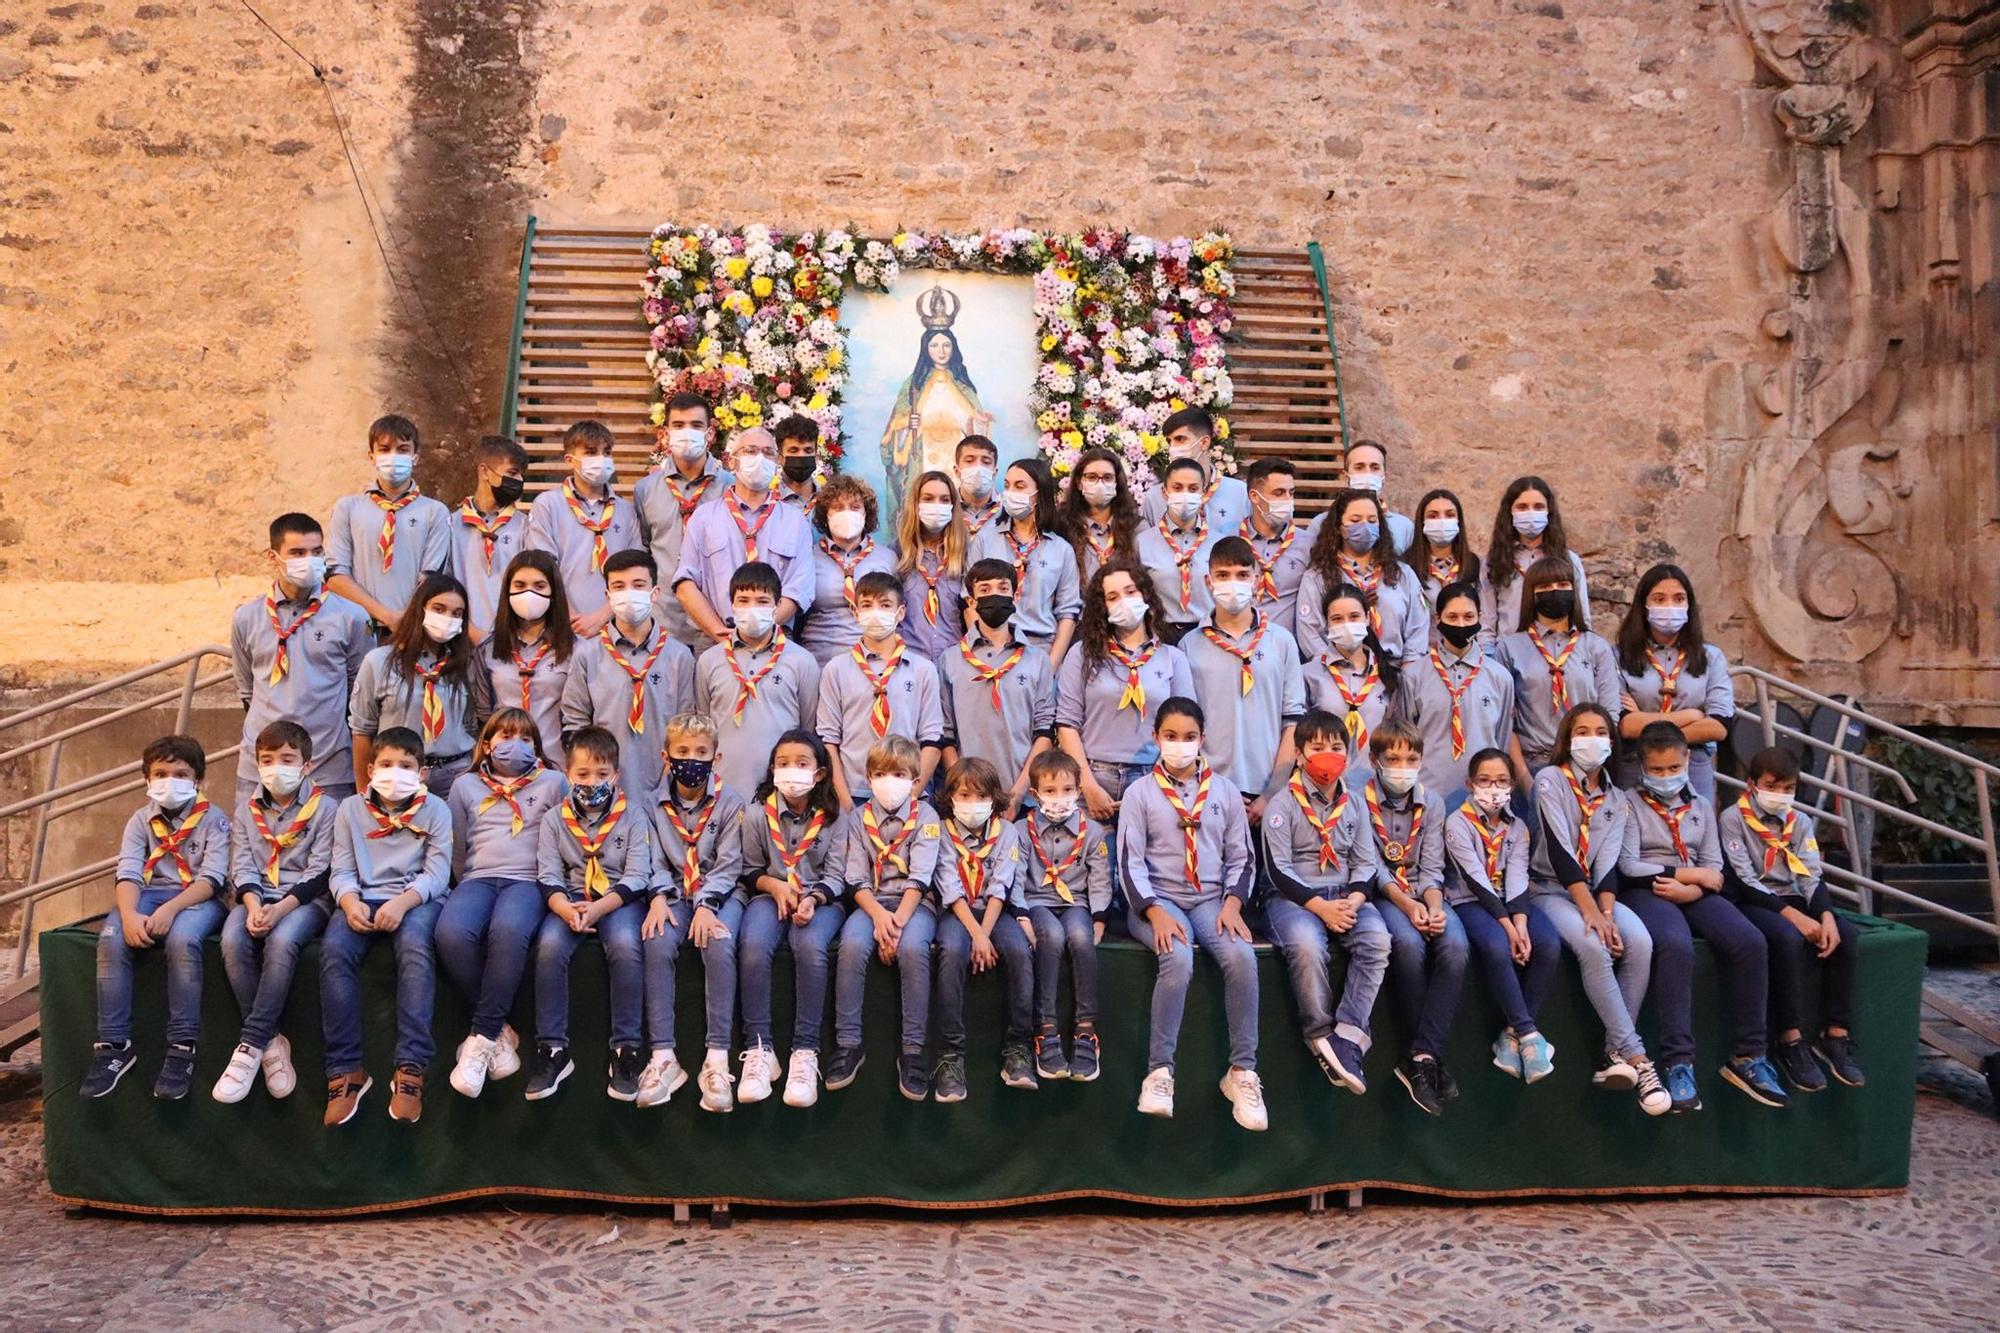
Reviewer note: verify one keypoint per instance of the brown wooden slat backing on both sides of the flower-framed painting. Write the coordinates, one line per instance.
(583, 355)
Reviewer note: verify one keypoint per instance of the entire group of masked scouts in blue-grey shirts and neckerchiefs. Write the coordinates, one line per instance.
(1041, 712)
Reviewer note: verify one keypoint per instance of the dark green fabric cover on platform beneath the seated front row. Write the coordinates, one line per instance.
(1001, 1146)
